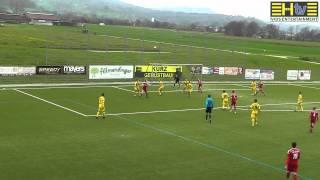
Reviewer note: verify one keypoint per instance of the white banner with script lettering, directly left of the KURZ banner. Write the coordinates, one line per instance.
(111, 72)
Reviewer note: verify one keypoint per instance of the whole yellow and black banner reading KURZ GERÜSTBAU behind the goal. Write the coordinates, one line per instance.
(151, 71)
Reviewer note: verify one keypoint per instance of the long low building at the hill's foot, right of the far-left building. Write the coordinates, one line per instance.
(42, 18)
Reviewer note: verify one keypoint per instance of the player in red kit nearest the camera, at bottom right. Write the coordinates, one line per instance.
(292, 161)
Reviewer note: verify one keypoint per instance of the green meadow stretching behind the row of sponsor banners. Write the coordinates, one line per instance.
(38, 45)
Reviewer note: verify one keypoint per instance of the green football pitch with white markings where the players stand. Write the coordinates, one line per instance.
(52, 133)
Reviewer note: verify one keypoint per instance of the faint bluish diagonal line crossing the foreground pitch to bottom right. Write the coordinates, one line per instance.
(210, 146)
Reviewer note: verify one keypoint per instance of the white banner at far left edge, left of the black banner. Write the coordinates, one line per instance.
(17, 71)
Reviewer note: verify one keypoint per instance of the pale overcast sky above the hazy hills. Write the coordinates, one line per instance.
(251, 8)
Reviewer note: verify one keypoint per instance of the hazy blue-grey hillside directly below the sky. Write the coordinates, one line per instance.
(116, 9)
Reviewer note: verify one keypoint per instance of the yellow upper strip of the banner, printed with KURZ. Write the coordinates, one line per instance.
(158, 69)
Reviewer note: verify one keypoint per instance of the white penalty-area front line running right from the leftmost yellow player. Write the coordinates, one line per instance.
(199, 109)
